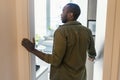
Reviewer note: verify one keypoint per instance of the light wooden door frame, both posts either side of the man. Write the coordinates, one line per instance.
(111, 65)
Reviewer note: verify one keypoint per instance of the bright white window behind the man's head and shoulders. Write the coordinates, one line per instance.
(47, 15)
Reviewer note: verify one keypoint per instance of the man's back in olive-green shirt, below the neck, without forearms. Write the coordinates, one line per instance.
(76, 40)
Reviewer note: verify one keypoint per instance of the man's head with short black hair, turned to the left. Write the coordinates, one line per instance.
(70, 12)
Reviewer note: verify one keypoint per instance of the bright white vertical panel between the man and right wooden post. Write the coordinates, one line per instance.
(100, 36)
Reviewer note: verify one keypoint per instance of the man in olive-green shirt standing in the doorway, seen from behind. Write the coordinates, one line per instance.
(71, 43)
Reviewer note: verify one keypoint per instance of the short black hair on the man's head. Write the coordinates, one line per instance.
(75, 9)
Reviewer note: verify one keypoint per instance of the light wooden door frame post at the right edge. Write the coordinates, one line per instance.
(112, 42)
